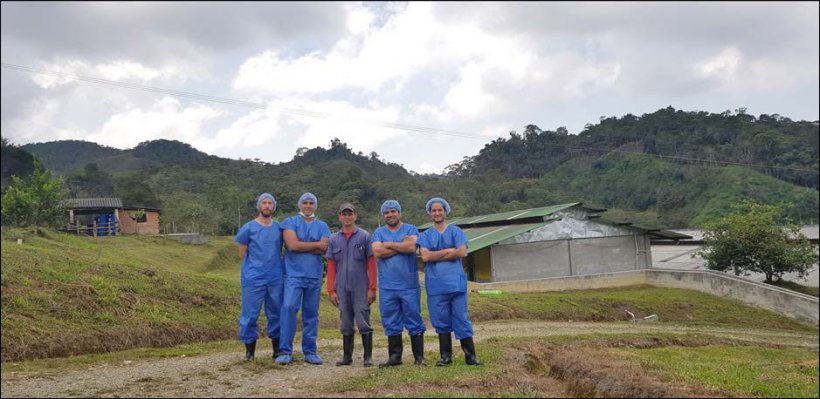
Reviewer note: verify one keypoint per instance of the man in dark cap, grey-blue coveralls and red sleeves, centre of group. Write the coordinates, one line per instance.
(351, 282)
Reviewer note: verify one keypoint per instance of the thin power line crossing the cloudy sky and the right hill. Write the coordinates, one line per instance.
(399, 126)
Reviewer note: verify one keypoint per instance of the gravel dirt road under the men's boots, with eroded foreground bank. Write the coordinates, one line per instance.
(530, 369)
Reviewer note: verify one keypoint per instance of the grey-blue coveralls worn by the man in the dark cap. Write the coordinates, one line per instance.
(352, 281)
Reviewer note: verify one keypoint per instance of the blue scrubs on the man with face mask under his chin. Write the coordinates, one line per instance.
(303, 284)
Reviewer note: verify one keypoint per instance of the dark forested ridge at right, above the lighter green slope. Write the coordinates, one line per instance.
(683, 137)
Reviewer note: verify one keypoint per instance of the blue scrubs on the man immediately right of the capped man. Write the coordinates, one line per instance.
(399, 289)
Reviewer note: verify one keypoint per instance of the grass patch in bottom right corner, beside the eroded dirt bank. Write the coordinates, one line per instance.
(748, 371)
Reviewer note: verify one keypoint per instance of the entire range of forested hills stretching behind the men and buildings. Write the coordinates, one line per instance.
(669, 168)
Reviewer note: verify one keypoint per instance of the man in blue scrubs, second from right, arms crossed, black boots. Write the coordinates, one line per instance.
(399, 291)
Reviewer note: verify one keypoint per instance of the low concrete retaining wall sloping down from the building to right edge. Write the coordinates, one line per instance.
(793, 304)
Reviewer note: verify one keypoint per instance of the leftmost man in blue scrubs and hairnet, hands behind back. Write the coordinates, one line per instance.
(260, 247)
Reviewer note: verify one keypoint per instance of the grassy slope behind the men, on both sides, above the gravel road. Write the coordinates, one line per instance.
(66, 295)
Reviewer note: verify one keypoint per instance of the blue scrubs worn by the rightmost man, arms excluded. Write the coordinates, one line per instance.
(446, 284)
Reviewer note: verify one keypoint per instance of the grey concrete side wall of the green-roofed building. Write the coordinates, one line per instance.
(559, 258)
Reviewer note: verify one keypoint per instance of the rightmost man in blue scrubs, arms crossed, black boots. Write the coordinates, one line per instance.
(442, 247)
